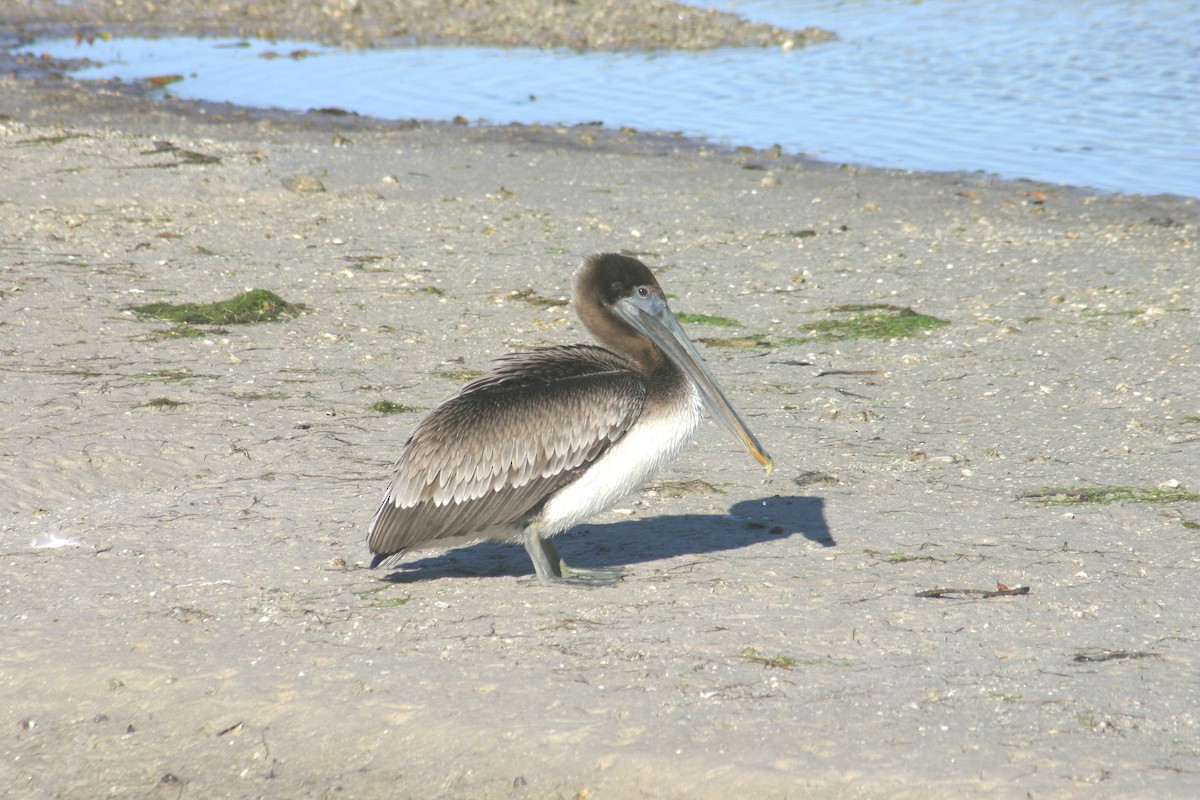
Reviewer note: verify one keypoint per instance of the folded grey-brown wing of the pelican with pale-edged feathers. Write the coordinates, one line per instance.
(493, 454)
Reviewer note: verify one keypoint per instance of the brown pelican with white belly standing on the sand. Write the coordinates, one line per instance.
(551, 437)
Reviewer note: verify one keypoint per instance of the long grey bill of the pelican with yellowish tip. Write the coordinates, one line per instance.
(652, 317)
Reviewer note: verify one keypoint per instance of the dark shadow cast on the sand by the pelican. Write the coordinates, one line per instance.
(637, 542)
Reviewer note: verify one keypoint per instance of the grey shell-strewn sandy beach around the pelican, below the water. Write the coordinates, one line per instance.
(185, 606)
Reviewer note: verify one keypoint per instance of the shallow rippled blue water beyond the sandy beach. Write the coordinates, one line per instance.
(1089, 94)
